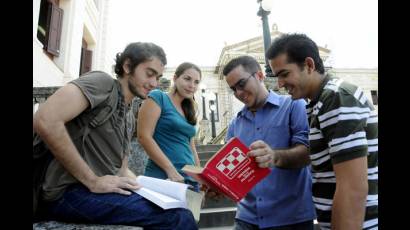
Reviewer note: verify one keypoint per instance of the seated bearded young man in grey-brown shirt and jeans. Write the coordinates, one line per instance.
(88, 180)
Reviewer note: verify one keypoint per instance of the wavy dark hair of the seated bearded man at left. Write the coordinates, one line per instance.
(137, 53)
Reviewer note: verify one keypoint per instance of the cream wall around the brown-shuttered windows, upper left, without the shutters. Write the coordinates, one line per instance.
(81, 18)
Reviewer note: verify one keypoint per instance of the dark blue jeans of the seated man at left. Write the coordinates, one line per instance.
(78, 204)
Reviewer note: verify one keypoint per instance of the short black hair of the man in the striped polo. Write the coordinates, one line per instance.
(297, 47)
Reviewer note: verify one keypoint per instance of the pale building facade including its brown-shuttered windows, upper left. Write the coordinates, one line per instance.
(69, 38)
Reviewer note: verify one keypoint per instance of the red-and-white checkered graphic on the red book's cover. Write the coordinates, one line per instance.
(233, 162)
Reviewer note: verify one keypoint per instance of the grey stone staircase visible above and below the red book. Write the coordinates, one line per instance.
(216, 214)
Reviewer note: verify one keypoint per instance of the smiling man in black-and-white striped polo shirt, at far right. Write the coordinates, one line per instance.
(343, 135)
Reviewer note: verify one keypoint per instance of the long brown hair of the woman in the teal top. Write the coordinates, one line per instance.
(189, 106)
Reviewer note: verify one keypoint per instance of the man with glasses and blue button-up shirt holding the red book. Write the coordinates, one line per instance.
(274, 124)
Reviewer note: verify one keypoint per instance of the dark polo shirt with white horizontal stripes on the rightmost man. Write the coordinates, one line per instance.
(343, 126)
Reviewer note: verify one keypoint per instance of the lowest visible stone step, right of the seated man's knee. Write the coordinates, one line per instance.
(217, 217)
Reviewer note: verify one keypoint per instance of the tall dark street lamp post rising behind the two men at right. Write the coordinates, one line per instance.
(264, 10)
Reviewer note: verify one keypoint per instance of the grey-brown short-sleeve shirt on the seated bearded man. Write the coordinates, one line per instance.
(105, 146)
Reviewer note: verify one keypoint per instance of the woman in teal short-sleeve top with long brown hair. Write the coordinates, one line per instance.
(166, 127)
